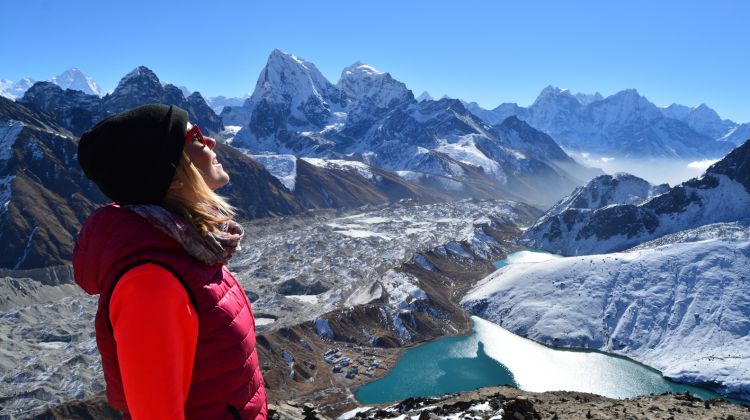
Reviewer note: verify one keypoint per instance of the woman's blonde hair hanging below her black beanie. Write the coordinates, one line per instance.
(205, 213)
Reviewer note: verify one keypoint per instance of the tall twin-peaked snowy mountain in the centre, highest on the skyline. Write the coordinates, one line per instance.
(371, 117)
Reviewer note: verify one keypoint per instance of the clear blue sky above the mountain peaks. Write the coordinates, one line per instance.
(689, 52)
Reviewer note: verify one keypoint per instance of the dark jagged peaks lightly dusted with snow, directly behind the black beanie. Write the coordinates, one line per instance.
(78, 111)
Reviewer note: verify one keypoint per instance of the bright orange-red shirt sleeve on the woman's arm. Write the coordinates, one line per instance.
(156, 331)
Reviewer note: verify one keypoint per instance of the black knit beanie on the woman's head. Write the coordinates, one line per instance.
(133, 156)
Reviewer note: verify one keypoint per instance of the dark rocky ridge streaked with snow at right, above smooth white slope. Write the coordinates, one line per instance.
(721, 194)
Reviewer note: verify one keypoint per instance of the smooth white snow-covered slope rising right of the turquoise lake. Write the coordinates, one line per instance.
(679, 305)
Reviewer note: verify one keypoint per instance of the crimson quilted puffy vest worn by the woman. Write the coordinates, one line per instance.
(226, 378)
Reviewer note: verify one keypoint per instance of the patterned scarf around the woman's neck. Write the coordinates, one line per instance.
(212, 249)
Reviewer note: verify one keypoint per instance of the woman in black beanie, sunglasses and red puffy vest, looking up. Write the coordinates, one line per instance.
(174, 328)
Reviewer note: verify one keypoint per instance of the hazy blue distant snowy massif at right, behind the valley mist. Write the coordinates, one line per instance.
(623, 125)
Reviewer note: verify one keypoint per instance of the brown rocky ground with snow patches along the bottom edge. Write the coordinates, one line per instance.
(484, 404)
